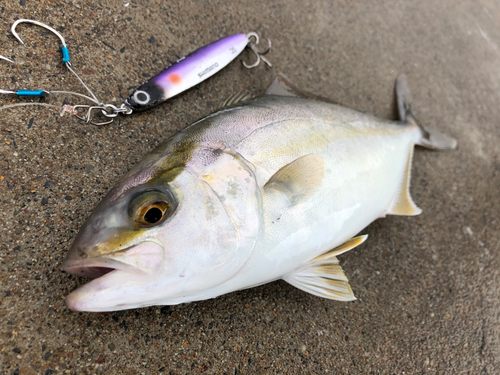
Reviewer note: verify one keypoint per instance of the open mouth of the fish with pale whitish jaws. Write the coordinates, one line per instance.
(138, 263)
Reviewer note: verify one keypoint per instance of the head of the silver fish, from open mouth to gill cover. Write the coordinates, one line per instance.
(167, 233)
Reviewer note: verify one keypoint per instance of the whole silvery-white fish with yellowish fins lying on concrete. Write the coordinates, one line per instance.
(271, 188)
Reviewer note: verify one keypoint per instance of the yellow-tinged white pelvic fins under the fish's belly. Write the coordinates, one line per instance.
(323, 276)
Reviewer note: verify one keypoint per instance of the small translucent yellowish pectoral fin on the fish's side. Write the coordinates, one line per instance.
(300, 179)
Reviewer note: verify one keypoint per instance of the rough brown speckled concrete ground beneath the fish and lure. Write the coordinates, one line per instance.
(428, 287)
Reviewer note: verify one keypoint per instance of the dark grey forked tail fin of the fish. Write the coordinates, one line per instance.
(429, 138)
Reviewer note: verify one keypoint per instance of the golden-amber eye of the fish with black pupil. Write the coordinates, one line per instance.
(149, 209)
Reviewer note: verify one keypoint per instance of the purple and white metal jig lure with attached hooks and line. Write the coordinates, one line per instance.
(187, 72)
